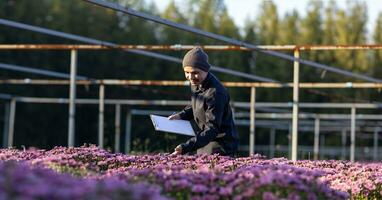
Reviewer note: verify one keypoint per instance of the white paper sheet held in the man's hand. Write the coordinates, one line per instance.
(174, 126)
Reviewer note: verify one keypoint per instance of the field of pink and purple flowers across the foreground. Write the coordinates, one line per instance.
(91, 173)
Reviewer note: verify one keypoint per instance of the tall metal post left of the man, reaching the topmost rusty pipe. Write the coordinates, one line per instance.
(72, 97)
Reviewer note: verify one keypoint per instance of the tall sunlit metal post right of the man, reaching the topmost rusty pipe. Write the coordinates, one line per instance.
(296, 72)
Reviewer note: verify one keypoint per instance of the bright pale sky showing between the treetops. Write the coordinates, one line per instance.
(240, 10)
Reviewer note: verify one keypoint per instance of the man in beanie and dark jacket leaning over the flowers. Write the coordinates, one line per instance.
(209, 108)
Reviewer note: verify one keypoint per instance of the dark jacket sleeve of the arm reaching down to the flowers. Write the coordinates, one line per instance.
(214, 114)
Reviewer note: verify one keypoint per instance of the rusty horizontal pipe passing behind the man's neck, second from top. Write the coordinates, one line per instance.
(186, 83)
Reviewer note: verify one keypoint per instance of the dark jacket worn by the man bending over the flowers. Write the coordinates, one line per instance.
(211, 111)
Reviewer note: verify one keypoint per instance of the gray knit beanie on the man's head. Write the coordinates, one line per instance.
(196, 57)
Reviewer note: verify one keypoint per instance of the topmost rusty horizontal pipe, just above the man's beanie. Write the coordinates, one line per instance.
(177, 47)
